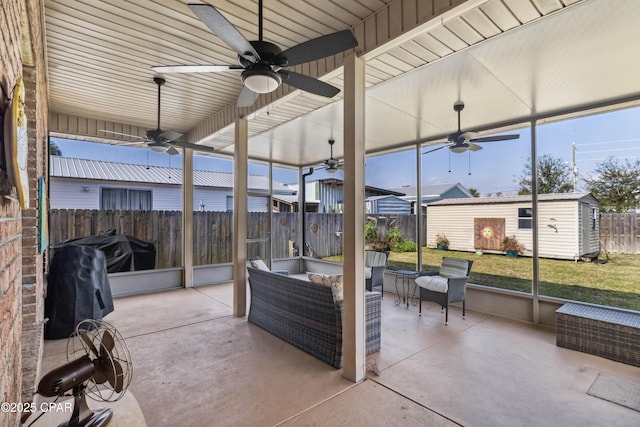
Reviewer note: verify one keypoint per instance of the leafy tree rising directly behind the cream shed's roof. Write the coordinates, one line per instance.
(553, 176)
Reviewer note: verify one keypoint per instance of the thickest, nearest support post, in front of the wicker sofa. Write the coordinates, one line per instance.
(353, 320)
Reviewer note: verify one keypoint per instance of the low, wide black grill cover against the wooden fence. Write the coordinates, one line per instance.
(124, 253)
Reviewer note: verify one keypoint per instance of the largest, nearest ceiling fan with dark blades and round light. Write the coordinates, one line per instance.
(262, 63)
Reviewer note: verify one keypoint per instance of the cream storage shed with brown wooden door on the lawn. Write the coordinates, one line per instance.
(568, 224)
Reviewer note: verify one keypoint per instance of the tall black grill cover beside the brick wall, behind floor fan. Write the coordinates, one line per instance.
(78, 289)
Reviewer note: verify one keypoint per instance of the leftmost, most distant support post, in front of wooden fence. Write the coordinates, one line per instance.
(187, 218)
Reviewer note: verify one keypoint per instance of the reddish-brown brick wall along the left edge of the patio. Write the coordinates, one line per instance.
(21, 267)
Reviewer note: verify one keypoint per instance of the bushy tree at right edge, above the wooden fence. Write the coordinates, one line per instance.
(616, 185)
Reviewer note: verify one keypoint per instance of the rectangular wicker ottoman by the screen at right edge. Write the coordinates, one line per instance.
(609, 333)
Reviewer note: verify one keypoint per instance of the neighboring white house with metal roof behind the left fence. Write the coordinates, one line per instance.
(93, 184)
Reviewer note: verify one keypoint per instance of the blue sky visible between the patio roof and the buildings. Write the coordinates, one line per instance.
(494, 169)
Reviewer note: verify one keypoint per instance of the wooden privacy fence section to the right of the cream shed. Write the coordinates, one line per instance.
(620, 233)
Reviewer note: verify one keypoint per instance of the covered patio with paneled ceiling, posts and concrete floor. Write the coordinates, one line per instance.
(515, 64)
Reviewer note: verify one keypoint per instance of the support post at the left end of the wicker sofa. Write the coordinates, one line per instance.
(240, 177)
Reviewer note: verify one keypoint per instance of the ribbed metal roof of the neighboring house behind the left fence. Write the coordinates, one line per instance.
(68, 167)
